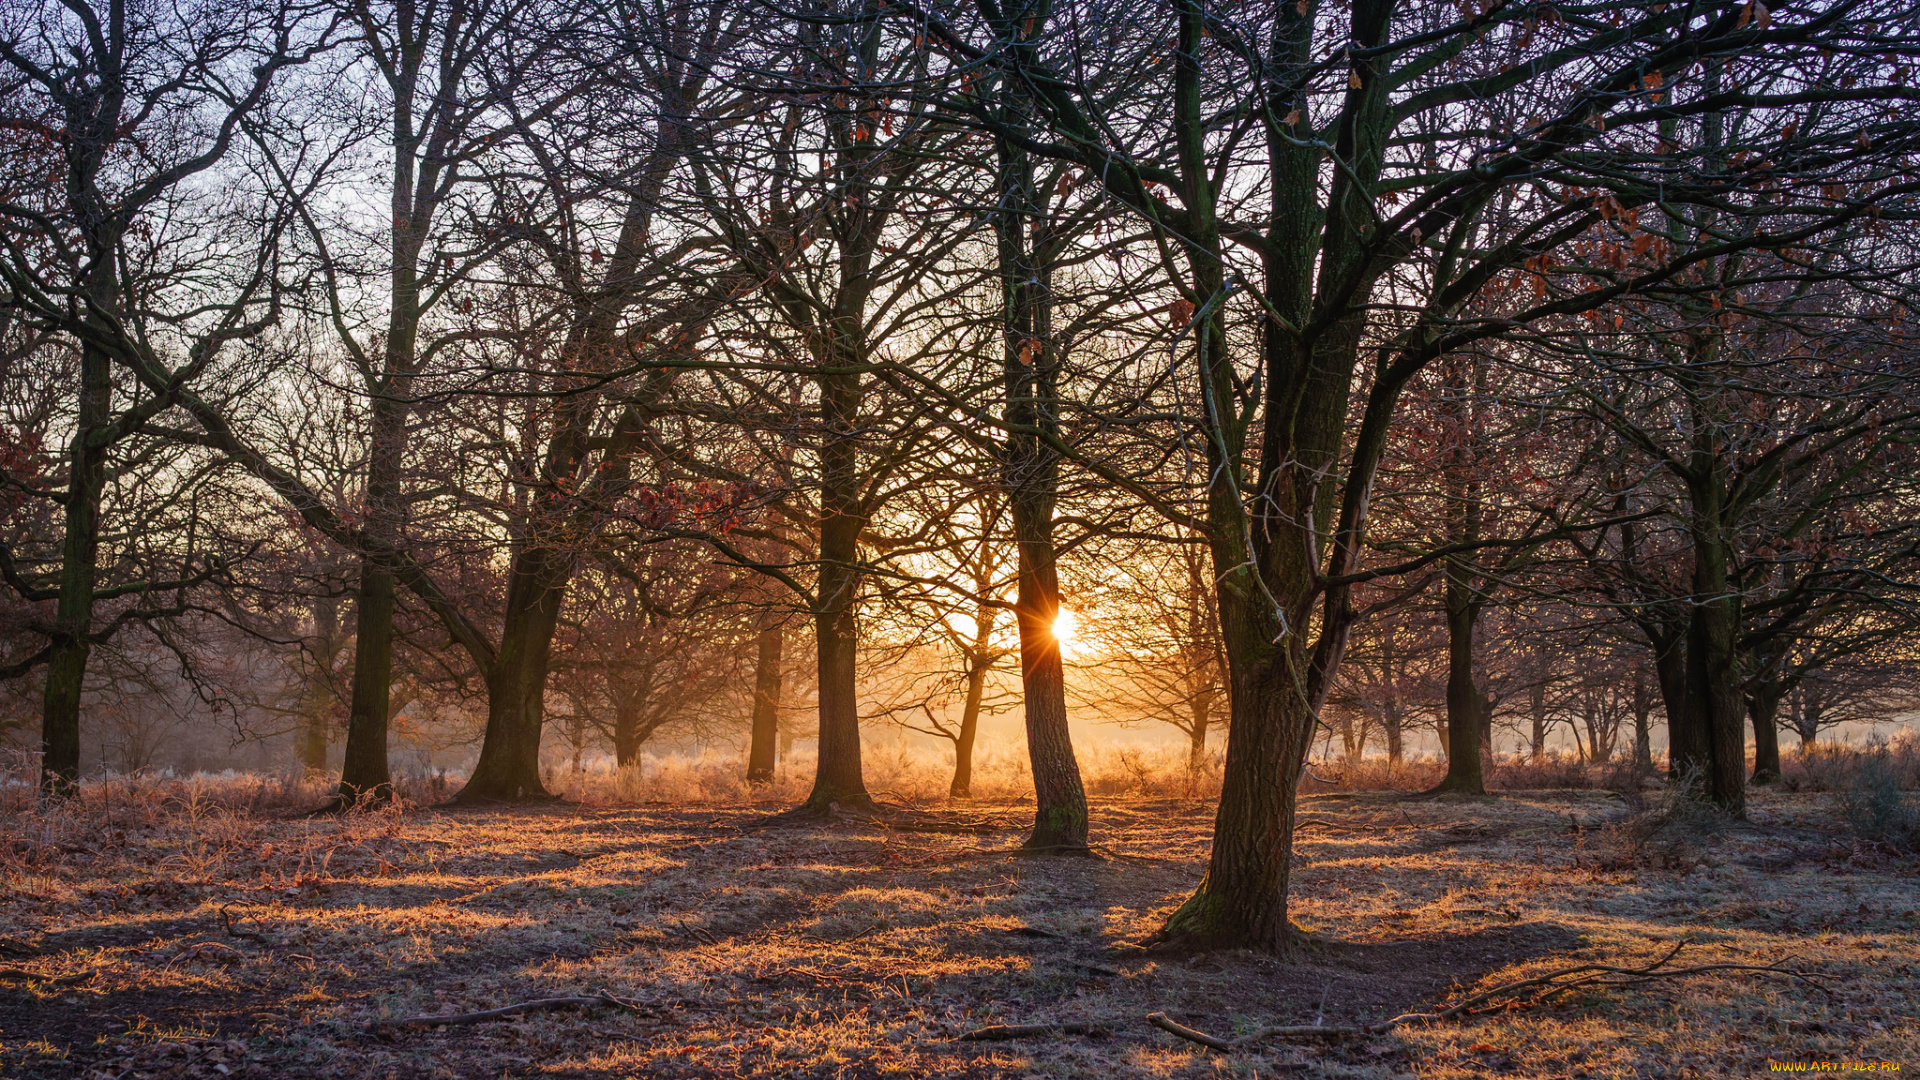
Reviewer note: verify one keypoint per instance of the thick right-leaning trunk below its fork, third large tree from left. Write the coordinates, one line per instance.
(517, 685)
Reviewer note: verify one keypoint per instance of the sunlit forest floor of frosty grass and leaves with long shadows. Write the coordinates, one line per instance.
(199, 941)
